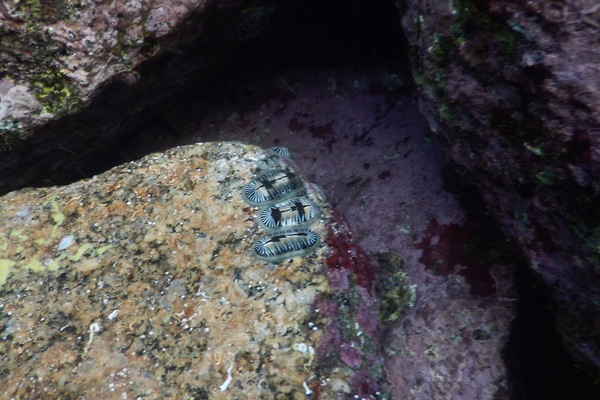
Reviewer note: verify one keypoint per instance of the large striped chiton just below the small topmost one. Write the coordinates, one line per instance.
(272, 186)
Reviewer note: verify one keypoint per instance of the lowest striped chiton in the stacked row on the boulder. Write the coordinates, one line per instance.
(285, 244)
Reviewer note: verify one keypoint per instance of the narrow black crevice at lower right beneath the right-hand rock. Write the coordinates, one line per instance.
(539, 367)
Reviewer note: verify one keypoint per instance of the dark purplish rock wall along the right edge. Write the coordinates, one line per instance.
(511, 89)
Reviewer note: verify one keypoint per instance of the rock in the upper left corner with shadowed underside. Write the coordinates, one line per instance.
(60, 57)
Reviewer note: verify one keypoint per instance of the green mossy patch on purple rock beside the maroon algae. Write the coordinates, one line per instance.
(395, 293)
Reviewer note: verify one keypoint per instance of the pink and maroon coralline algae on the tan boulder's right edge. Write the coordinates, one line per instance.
(350, 340)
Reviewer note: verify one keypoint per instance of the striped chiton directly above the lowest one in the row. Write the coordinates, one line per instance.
(292, 213)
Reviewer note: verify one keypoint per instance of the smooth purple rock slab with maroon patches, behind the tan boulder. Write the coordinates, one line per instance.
(357, 132)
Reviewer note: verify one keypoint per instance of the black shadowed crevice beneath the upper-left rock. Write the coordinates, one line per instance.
(126, 121)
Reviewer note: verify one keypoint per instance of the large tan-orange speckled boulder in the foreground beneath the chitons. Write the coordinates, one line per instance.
(141, 282)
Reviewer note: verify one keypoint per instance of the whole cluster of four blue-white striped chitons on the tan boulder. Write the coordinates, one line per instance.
(285, 211)
